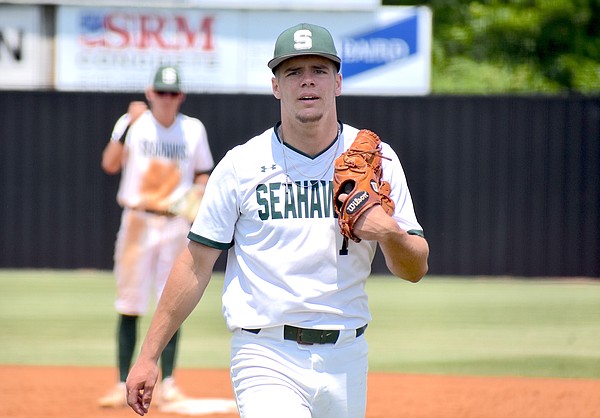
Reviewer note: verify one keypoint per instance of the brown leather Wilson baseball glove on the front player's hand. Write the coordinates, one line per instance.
(357, 173)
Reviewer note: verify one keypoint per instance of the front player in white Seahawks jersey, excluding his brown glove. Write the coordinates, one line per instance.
(297, 309)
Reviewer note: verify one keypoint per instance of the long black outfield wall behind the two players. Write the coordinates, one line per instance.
(502, 185)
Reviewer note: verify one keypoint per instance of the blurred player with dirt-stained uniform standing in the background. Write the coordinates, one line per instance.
(161, 156)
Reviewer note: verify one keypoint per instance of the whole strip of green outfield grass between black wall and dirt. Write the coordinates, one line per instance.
(470, 326)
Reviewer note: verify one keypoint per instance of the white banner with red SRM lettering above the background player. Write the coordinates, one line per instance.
(119, 49)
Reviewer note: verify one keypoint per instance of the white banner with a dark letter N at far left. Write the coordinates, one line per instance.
(25, 51)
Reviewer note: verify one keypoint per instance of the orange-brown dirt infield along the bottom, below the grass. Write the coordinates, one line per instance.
(71, 392)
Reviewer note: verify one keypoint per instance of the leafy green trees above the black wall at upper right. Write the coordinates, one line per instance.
(508, 46)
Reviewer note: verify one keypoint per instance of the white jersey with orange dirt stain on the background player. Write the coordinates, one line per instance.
(161, 162)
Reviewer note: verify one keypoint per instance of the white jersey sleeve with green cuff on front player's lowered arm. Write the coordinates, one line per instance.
(216, 219)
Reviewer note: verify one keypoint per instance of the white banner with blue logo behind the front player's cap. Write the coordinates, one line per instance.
(384, 52)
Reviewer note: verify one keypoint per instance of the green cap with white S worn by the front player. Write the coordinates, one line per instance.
(304, 39)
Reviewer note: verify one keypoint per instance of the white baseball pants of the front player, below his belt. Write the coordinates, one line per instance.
(274, 378)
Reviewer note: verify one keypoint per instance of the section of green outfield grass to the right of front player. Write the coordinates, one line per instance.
(486, 327)
